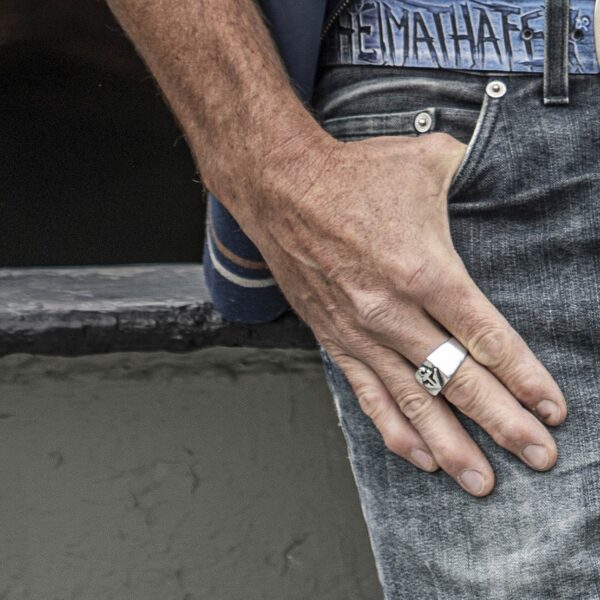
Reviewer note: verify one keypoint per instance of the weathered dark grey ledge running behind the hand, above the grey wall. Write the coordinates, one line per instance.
(90, 310)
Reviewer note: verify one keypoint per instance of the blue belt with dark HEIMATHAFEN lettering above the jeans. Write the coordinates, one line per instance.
(458, 34)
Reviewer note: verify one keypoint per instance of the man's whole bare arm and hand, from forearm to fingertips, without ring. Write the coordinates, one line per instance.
(325, 216)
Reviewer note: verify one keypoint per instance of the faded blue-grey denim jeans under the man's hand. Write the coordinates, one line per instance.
(524, 213)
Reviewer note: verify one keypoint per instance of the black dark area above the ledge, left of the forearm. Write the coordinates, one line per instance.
(95, 169)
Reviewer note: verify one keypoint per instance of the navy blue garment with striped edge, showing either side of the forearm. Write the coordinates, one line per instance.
(240, 285)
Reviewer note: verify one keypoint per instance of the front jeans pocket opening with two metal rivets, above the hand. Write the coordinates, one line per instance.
(464, 108)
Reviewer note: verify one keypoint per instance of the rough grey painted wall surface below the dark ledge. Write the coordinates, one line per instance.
(219, 474)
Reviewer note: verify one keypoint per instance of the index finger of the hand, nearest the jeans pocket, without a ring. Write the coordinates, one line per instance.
(464, 310)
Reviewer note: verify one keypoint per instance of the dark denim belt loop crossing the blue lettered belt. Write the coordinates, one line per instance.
(556, 52)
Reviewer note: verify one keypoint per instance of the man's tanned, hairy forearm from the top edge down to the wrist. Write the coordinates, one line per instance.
(221, 73)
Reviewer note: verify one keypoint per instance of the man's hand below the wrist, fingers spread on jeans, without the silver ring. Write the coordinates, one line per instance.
(366, 258)
